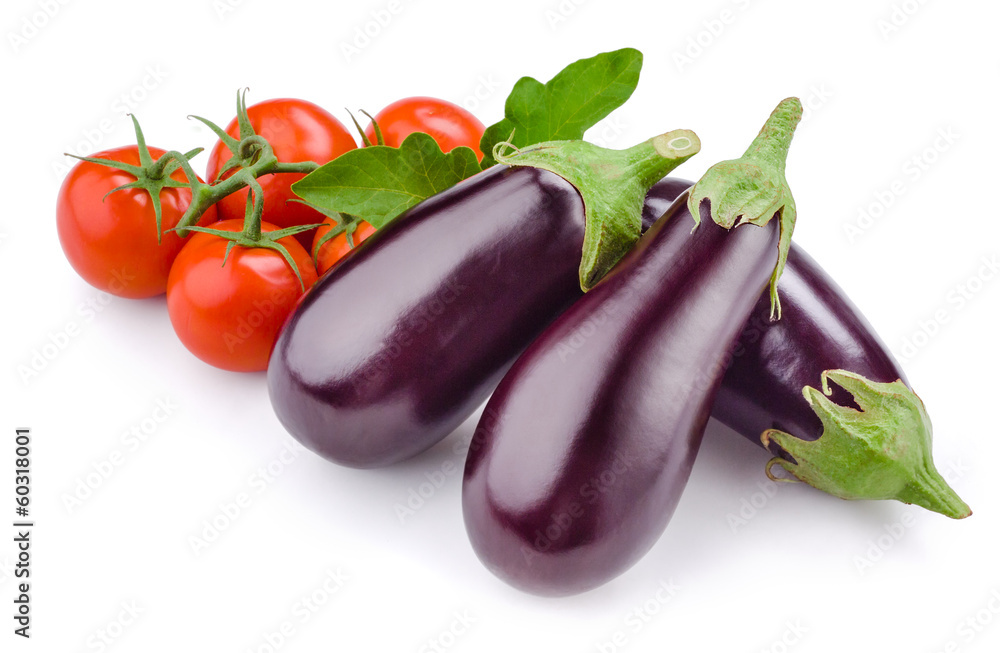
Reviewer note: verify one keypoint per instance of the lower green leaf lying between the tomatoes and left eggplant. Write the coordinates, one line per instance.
(380, 182)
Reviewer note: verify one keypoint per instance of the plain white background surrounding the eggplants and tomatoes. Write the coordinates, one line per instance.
(803, 571)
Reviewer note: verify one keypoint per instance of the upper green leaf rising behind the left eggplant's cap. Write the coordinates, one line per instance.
(572, 102)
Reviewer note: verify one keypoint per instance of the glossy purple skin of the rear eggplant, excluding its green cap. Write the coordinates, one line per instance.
(820, 329)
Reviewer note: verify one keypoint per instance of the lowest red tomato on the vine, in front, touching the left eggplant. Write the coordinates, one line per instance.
(229, 315)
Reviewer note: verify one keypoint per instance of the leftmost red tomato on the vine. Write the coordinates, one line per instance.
(111, 241)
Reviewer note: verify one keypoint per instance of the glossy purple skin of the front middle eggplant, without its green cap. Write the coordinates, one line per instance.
(585, 447)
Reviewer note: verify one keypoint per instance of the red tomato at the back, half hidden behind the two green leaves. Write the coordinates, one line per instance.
(449, 124)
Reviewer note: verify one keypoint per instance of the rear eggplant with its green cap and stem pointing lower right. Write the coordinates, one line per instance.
(878, 442)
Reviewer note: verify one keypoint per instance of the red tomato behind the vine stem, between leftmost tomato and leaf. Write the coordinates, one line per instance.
(297, 131)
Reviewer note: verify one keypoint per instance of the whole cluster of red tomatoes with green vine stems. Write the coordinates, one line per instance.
(227, 297)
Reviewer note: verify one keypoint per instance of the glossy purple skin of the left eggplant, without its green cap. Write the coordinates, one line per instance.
(405, 337)
